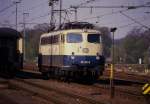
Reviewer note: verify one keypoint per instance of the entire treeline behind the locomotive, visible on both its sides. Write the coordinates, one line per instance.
(135, 46)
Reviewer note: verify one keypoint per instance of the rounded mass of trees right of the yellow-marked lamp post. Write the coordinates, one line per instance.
(134, 47)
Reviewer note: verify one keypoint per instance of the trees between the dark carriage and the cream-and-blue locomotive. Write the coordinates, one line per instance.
(32, 41)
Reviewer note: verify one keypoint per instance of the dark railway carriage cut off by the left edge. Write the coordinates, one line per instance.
(11, 56)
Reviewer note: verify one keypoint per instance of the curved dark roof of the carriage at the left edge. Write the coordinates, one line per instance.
(8, 32)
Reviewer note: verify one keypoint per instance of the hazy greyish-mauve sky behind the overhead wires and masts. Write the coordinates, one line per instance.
(39, 12)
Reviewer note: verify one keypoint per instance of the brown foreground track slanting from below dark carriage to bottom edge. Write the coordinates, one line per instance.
(53, 94)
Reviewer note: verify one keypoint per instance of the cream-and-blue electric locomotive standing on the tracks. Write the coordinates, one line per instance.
(75, 53)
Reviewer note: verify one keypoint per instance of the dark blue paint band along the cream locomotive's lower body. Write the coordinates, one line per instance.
(66, 60)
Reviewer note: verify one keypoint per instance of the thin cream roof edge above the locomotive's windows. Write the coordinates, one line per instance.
(69, 31)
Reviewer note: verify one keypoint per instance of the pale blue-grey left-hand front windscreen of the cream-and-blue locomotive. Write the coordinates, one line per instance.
(74, 38)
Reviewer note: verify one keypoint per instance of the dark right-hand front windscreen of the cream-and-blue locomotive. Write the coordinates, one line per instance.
(94, 38)
